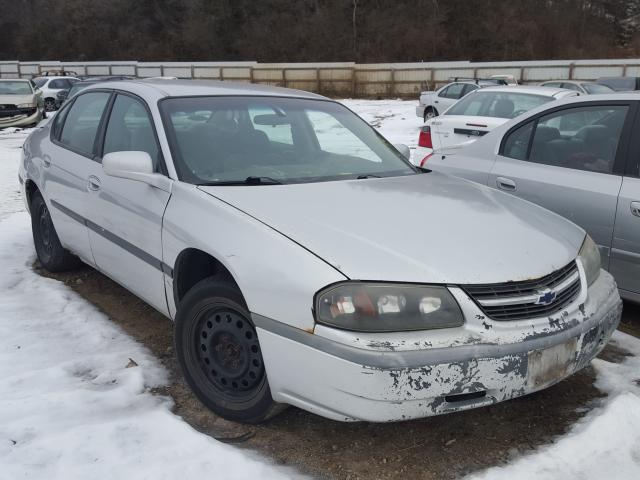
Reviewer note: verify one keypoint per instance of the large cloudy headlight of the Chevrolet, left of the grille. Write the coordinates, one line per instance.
(371, 307)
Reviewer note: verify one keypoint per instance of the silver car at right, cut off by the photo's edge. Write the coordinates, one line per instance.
(578, 157)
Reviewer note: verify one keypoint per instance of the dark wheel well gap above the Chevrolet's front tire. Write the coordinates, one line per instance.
(193, 265)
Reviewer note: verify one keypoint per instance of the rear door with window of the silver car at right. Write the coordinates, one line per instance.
(570, 160)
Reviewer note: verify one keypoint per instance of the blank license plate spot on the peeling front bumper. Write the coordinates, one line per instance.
(551, 364)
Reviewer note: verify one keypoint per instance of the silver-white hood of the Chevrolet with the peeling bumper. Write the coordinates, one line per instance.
(427, 228)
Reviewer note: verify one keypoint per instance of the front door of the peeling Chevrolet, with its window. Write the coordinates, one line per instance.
(125, 219)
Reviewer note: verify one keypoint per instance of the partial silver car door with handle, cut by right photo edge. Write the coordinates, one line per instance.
(625, 248)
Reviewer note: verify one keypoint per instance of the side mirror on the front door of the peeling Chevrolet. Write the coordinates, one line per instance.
(136, 166)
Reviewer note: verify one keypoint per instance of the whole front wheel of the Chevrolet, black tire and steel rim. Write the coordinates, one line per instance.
(219, 353)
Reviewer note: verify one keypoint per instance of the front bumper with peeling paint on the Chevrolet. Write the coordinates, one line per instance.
(349, 377)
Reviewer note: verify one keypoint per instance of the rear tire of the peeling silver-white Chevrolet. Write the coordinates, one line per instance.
(52, 255)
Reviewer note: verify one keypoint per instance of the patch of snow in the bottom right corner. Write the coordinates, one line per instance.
(605, 444)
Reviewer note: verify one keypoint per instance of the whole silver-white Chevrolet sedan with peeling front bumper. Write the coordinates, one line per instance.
(272, 226)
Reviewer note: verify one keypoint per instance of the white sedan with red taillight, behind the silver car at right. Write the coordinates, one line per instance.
(480, 112)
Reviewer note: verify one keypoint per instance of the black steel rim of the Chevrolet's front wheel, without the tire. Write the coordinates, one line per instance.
(227, 351)
